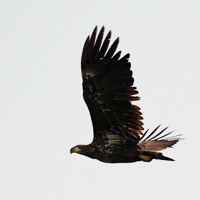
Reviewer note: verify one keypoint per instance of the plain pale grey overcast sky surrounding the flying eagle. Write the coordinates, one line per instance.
(42, 112)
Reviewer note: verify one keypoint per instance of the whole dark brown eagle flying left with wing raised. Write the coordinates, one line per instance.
(108, 91)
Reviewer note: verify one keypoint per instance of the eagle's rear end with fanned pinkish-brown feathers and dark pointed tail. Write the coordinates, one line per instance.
(153, 143)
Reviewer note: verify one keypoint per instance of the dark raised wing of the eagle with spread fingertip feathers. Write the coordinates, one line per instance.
(108, 88)
